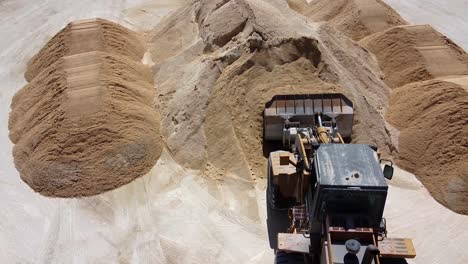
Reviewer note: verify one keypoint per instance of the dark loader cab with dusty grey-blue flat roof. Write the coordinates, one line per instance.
(349, 187)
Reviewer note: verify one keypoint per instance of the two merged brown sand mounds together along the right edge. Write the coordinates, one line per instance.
(427, 73)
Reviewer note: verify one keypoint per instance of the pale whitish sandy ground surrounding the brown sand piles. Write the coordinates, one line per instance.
(168, 216)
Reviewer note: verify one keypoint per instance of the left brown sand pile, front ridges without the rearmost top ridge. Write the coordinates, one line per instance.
(85, 124)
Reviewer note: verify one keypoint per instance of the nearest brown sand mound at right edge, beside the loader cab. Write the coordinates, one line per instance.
(432, 118)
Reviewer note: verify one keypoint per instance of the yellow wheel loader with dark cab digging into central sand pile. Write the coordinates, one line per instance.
(325, 198)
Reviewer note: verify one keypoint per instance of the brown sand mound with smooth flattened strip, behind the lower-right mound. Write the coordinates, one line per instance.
(415, 53)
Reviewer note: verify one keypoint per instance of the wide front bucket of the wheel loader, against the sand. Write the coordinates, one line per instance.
(301, 110)
